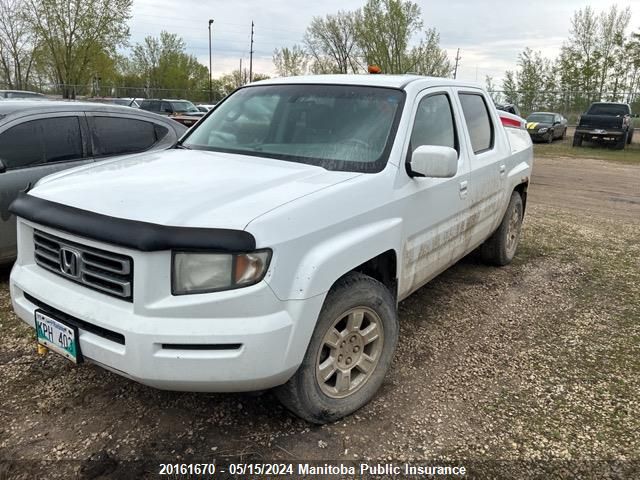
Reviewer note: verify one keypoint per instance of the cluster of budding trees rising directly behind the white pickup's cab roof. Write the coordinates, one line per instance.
(380, 33)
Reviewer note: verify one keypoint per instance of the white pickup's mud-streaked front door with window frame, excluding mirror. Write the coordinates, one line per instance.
(435, 219)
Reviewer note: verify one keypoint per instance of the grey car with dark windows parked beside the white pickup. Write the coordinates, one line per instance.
(39, 138)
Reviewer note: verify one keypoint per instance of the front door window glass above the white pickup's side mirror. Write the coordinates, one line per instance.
(434, 124)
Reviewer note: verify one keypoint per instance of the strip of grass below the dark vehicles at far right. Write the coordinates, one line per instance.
(631, 154)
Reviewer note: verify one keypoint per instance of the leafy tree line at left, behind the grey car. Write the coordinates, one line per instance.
(74, 45)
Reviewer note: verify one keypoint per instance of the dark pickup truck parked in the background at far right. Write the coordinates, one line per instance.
(605, 122)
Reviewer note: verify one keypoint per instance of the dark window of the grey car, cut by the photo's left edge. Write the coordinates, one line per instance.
(41, 141)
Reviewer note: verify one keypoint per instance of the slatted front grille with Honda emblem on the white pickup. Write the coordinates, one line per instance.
(107, 272)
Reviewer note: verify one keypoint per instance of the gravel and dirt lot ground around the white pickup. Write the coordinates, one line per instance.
(510, 371)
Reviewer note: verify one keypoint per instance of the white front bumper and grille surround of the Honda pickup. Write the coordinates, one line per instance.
(174, 343)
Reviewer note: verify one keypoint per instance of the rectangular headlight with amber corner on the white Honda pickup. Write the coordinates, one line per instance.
(211, 272)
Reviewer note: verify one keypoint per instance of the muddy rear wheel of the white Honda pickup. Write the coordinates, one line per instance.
(500, 248)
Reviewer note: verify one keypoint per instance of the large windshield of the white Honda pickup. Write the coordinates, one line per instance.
(337, 127)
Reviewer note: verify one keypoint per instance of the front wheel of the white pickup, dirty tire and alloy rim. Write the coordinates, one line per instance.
(319, 400)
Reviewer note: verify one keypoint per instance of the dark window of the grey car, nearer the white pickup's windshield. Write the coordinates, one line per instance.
(118, 136)
